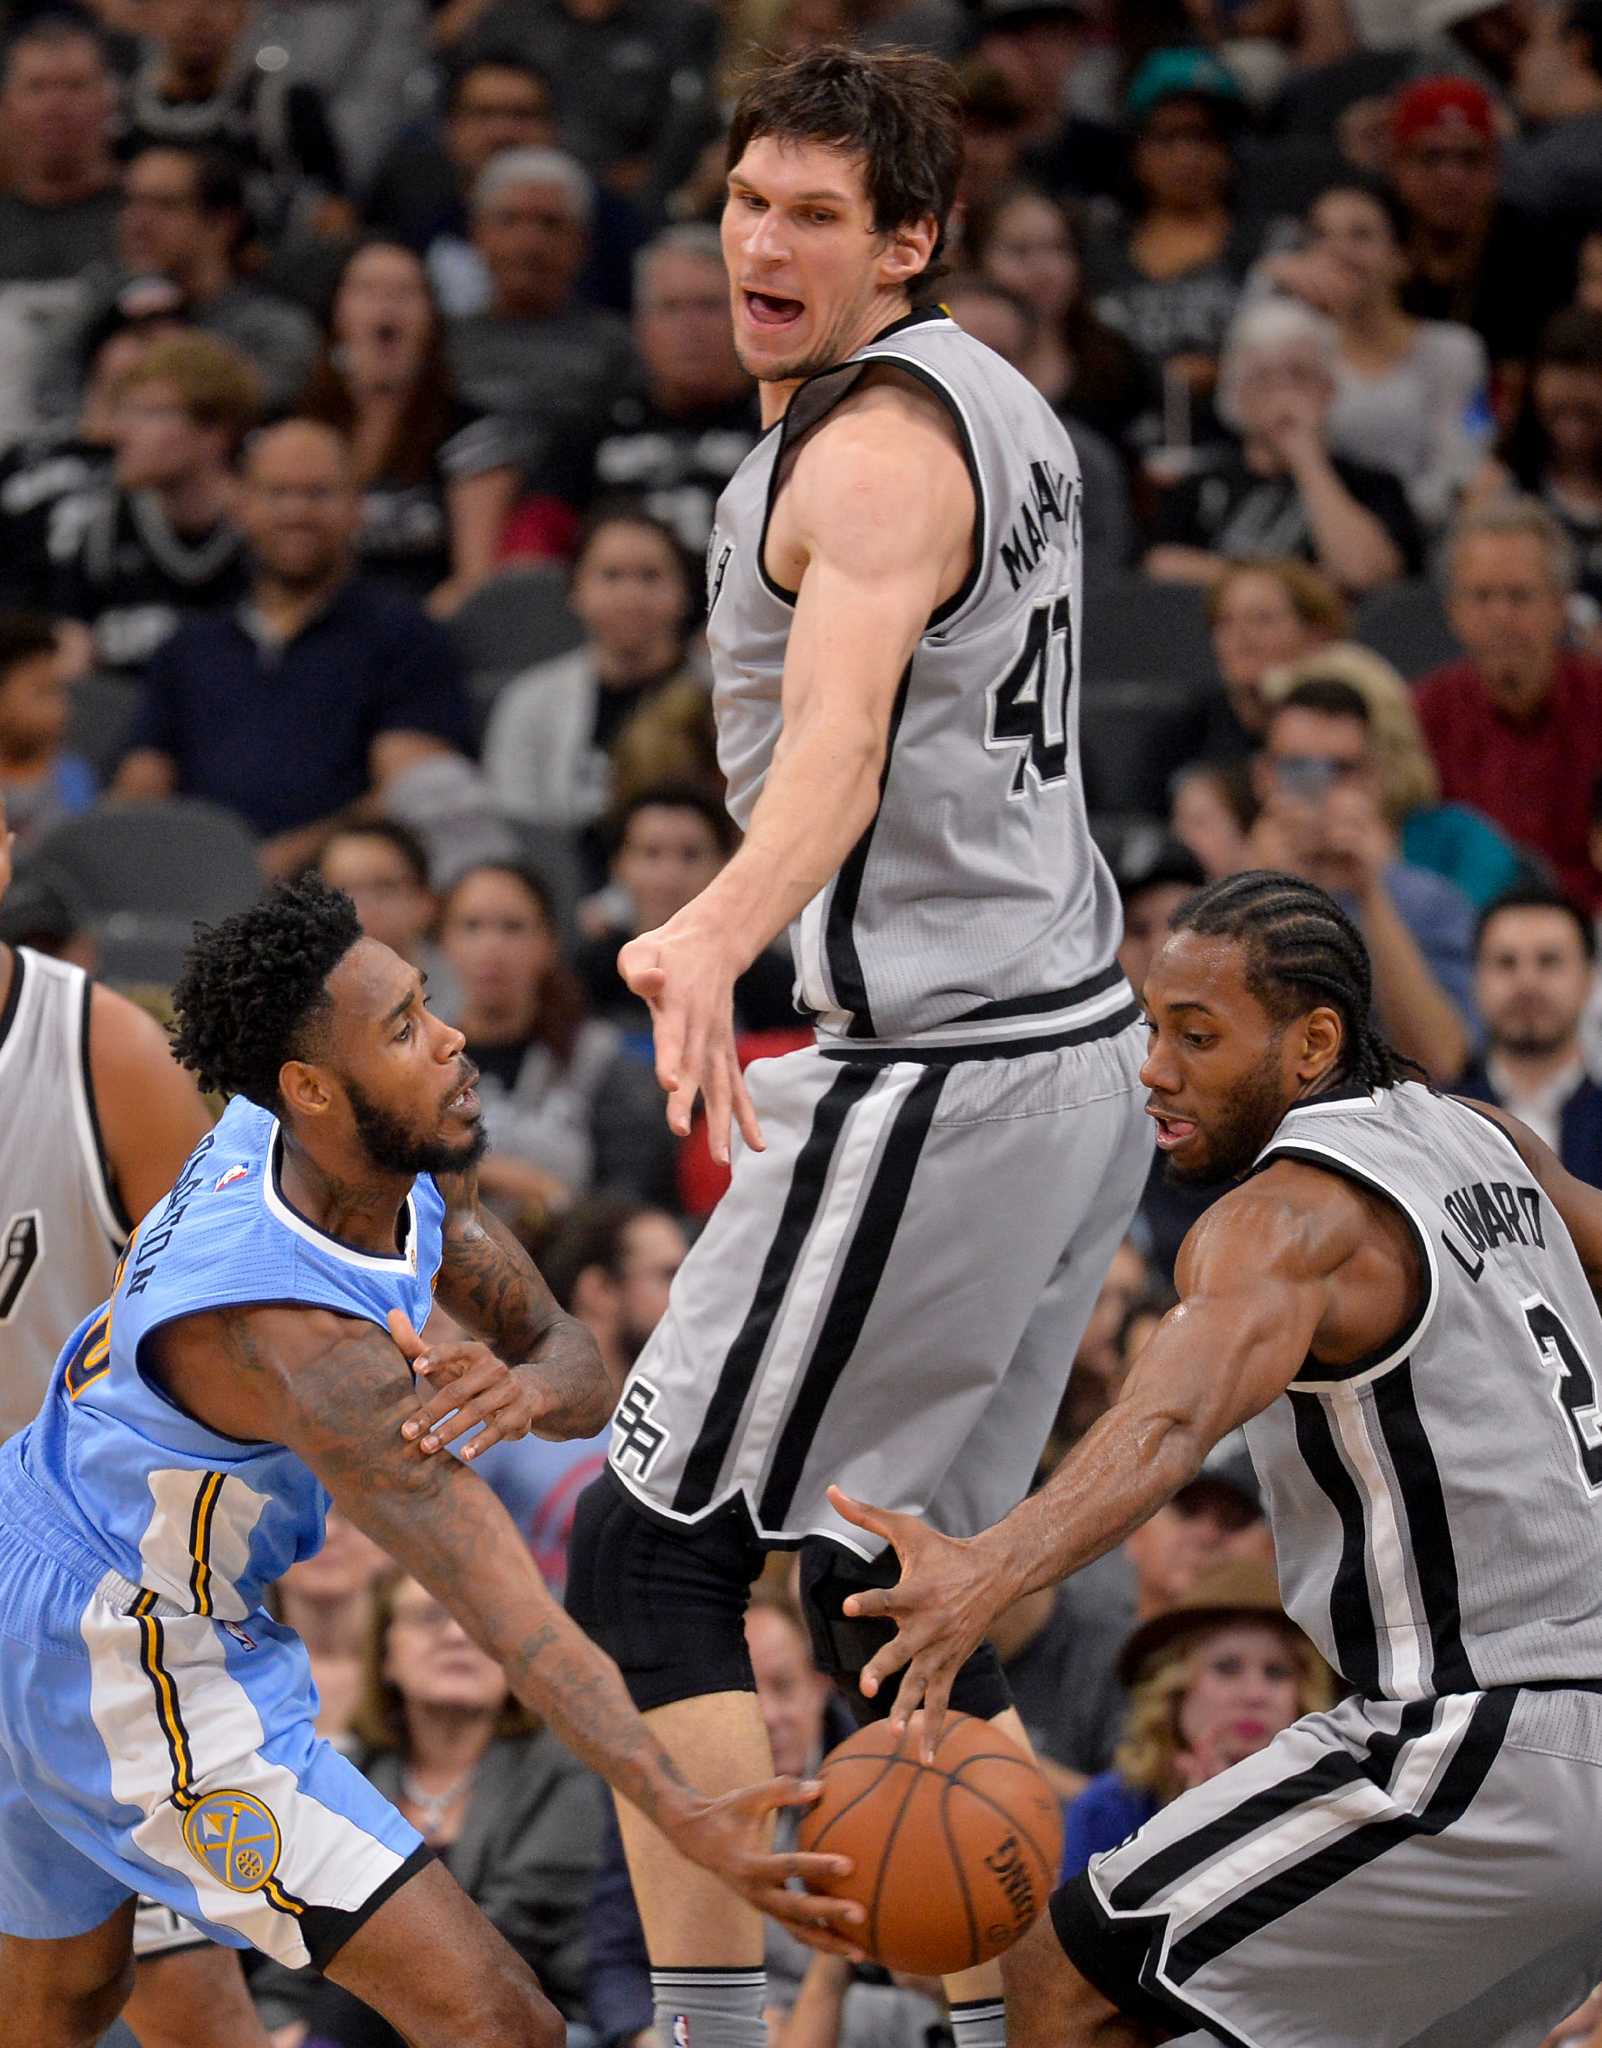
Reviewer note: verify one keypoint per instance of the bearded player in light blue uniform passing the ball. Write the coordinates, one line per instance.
(157, 1725)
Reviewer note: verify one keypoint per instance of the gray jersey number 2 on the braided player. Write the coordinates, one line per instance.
(1437, 1508)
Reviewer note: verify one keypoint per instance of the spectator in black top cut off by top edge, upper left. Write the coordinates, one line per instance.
(204, 89)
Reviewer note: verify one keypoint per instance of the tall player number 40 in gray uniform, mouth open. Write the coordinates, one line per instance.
(927, 1199)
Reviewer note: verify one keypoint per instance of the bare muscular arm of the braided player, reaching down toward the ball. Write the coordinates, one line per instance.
(1255, 1283)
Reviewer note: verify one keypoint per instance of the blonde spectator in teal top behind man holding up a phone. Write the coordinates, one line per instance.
(1449, 839)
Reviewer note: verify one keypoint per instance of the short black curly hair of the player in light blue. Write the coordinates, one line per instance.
(255, 988)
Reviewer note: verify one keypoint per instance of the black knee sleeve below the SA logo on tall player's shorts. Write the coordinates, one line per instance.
(667, 1605)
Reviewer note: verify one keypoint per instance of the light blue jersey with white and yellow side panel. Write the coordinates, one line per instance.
(196, 1517)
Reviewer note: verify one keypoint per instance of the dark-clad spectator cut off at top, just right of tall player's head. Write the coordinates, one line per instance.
(1038, 48)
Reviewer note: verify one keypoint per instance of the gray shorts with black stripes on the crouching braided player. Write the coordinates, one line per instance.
(1384, 1875)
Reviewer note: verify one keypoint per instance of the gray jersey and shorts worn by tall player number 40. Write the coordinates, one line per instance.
(892, 1293)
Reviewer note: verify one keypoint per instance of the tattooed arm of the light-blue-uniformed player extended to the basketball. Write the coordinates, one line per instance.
(335, 1394)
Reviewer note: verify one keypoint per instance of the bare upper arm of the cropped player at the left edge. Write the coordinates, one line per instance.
(149, 1109)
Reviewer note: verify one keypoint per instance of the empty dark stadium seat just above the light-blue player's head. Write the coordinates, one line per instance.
(149, 871)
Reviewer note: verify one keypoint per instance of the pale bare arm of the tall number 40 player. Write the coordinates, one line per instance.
(882, 511)
